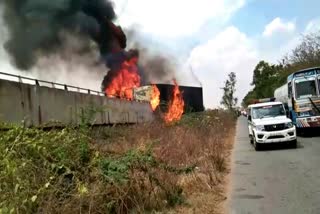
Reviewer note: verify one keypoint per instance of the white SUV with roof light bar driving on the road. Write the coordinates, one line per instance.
(268, 123)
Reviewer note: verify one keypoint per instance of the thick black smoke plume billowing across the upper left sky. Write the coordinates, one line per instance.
(35, 27)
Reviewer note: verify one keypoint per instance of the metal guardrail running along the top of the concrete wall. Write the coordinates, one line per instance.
(54, 85)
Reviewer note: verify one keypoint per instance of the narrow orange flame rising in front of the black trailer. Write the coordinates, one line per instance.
(176, 105)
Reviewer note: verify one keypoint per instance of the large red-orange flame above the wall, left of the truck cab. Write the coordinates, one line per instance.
(125, 81)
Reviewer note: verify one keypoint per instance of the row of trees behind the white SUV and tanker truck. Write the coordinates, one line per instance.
(267, 77)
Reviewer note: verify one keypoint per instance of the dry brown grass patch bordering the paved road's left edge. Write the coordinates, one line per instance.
(203, 139)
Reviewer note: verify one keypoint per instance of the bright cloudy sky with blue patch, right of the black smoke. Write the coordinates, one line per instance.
(216, 37)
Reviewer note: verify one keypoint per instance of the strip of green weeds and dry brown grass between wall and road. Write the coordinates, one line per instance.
(177, 168)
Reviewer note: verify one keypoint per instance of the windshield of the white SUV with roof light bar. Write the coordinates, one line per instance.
(268, 111)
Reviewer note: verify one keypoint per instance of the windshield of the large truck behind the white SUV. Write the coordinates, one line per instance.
(305, 88)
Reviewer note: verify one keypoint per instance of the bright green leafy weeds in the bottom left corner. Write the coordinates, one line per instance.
(33, 161)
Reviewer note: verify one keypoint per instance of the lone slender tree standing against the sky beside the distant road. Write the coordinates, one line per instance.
(228, 99)
